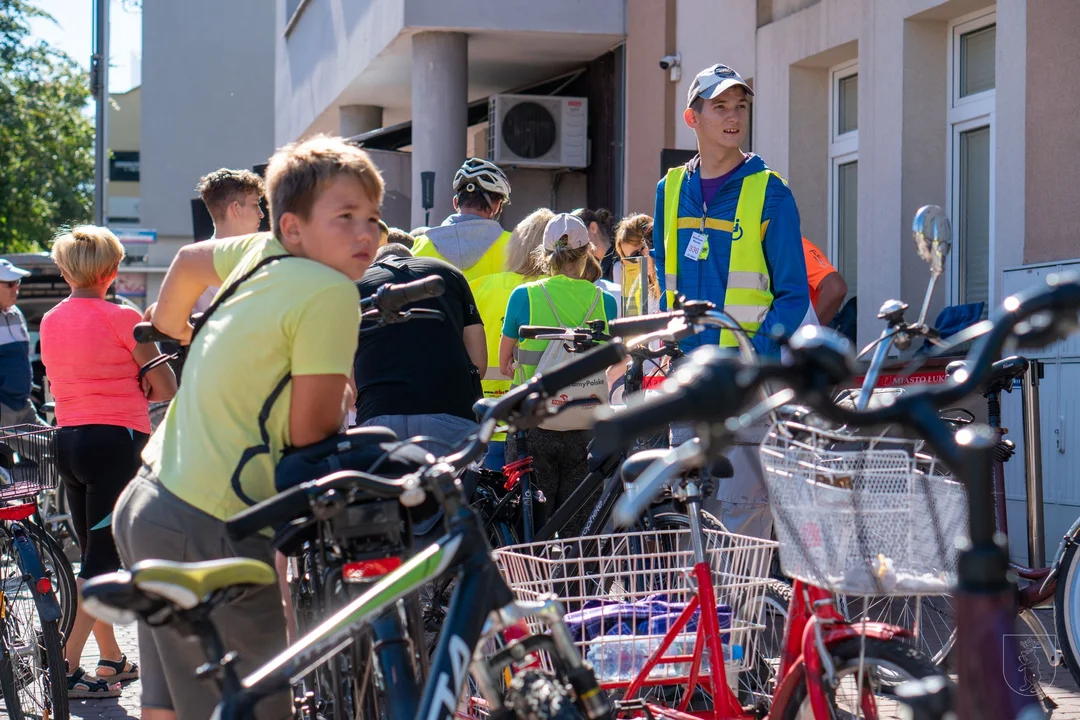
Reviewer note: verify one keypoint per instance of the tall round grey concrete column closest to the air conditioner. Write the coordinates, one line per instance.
(440, 116)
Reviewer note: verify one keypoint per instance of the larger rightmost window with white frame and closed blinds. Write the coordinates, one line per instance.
(971, 158)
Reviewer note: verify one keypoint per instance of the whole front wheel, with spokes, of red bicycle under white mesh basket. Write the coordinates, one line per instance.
(860, 664)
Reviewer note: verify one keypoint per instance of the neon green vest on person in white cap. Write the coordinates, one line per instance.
(577, 302)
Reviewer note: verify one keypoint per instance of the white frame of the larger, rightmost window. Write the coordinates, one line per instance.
(968, 114)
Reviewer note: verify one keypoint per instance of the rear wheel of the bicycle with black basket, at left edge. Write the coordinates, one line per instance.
(33, 648)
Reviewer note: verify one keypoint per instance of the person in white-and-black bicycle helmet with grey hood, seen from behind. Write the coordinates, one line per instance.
(472, 240)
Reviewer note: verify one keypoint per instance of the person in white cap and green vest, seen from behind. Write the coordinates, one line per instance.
(559, 447)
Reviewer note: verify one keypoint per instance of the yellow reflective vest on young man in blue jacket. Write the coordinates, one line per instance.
(749, 294)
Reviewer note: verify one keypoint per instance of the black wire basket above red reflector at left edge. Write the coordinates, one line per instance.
(28, 461)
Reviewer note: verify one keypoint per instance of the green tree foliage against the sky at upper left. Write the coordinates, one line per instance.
(47, 142)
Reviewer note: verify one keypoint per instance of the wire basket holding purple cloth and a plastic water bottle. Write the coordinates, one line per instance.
(624, 593)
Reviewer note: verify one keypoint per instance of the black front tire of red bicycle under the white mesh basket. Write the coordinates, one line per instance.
(897, 658)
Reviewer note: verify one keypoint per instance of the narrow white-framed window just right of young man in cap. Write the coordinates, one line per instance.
(844, 173)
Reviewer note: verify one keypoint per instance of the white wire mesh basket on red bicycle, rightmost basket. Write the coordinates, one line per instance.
(863, 515)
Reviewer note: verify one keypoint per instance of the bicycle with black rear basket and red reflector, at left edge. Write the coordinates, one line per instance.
(33, 674)
